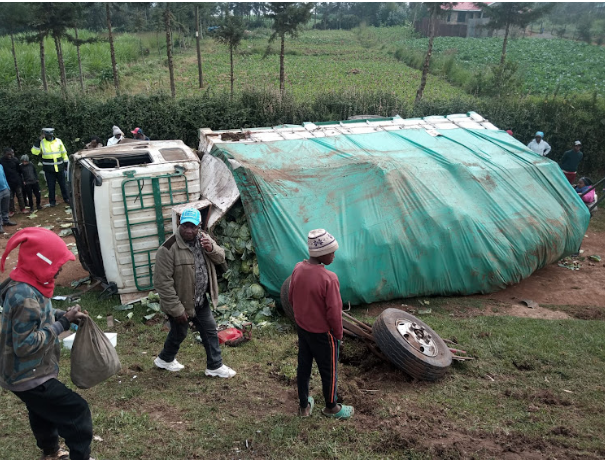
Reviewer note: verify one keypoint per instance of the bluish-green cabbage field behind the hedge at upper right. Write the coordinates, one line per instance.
(544, 64)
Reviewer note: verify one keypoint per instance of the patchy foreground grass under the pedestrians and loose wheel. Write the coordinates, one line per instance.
(535, 390)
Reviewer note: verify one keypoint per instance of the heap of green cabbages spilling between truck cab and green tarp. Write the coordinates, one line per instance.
(242, 298)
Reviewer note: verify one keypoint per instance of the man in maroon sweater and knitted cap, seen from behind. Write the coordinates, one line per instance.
(315, 298)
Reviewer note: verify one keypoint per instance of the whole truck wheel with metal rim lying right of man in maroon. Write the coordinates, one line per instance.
(411, 345)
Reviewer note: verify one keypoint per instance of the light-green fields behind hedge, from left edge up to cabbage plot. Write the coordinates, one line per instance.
(316, 62)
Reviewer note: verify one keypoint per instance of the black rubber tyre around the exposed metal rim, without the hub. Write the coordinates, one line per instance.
(418, 365)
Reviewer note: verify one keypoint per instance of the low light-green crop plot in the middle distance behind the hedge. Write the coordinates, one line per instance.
(316, 62)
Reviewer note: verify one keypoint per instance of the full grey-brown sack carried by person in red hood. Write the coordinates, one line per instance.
(93, 357)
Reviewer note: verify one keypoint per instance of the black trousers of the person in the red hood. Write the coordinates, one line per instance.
(55, 410)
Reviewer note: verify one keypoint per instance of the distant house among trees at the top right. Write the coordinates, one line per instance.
(460, 20)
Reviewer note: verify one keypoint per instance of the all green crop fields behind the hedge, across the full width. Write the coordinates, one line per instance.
(316, 61)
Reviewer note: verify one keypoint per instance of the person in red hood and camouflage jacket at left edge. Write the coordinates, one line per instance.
(29, 344)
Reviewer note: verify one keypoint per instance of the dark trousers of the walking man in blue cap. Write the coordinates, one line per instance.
(204, 322)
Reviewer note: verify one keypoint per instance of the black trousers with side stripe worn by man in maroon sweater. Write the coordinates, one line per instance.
(322, 347)
